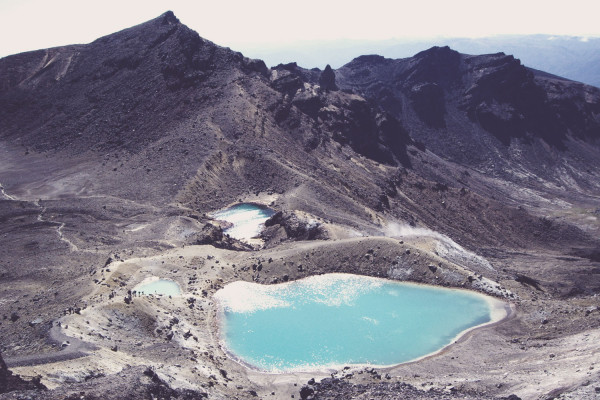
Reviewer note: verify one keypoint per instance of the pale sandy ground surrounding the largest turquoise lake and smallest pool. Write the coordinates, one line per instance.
(484, 358)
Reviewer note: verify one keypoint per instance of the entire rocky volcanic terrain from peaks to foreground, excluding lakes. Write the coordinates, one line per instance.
(466, 171)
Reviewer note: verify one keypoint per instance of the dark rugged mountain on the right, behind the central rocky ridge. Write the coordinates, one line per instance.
(472, 109)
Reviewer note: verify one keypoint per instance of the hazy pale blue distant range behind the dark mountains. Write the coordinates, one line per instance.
(575, 58)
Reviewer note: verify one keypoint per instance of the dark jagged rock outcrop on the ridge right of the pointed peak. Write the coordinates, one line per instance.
(346, 118)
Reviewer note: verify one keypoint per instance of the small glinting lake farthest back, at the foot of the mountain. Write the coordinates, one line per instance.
(247, 219)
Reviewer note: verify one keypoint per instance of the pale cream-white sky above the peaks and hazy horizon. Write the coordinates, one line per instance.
(34, 24)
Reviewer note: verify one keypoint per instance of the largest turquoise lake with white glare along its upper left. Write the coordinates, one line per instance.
(333, 320)
